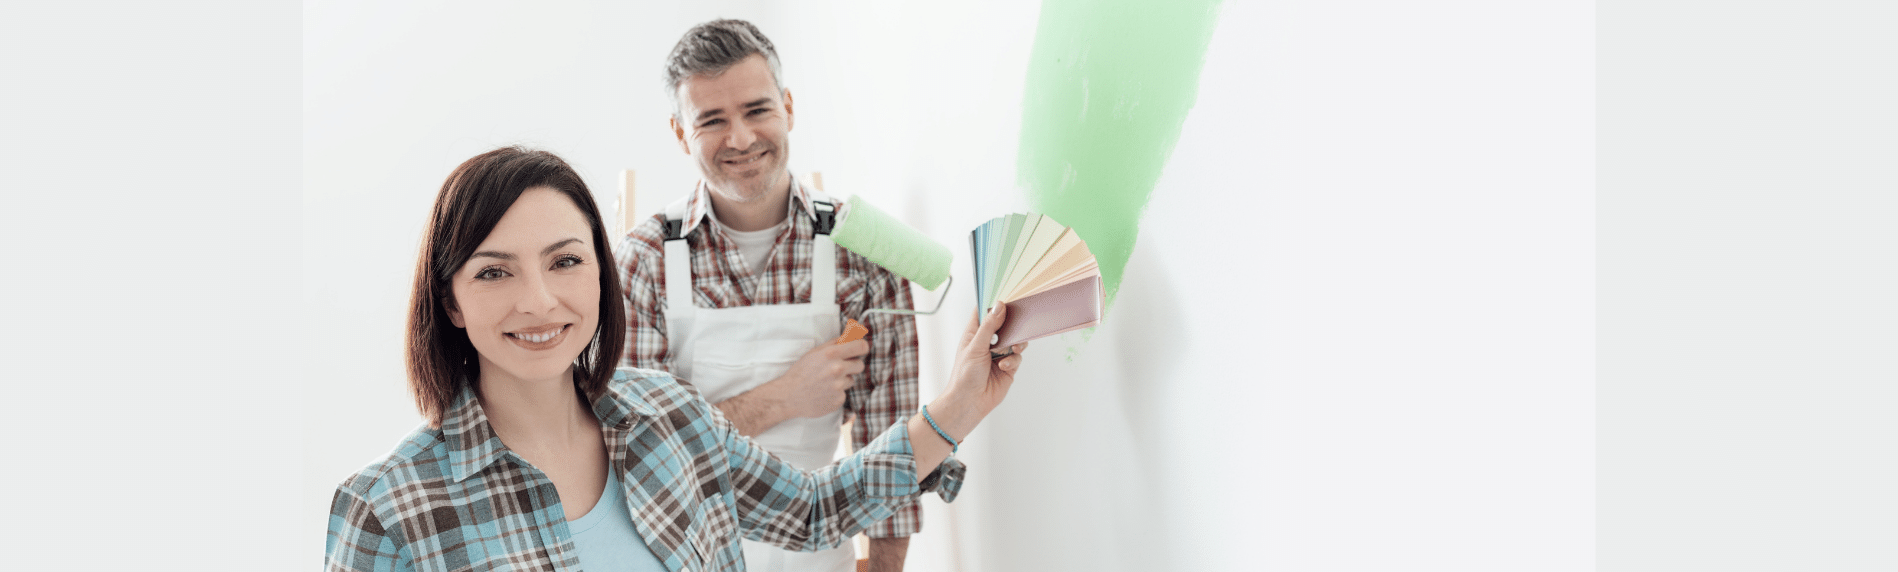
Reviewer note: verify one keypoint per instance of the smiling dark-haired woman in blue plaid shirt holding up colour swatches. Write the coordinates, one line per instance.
(540, 455)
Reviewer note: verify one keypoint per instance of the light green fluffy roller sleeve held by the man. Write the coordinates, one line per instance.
(891, 244)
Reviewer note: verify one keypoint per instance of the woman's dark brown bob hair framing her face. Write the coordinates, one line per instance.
(441, 360)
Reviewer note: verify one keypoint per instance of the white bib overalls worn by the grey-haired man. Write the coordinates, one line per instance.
(728, 353)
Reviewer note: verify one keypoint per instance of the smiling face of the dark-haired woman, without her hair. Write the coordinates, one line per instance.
(530, 296)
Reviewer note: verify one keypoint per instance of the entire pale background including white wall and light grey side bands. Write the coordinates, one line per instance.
(1358, 334)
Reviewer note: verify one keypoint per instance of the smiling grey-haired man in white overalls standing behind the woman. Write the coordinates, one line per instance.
(737, 288)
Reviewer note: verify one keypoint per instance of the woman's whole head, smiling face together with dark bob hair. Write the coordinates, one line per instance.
(475, 267)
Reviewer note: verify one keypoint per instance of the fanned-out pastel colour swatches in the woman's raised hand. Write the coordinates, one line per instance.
(1041, 271)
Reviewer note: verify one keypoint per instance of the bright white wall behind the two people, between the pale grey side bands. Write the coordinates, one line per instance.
(1356, 332)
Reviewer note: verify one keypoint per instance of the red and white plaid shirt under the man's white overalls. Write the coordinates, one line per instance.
(885, 392)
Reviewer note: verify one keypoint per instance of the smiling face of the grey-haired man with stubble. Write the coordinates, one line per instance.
(737, 126)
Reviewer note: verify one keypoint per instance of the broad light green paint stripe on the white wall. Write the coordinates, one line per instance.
(1109, 88)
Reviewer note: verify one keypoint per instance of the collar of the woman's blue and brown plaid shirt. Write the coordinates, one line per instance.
(472, 440)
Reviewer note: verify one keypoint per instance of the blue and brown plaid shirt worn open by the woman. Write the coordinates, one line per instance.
(456, 499)
